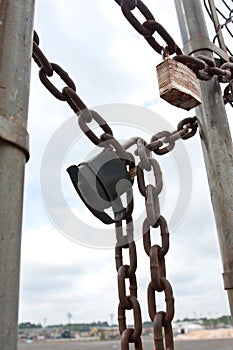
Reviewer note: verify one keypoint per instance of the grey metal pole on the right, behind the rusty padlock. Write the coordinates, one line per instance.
(215, 136)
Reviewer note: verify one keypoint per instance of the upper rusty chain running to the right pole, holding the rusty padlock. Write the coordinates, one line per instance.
(204, 67)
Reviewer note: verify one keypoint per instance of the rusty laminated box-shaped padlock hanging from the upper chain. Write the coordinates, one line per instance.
(178, 84)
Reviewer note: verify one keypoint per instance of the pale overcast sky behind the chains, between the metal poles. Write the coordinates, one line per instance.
(110, 64)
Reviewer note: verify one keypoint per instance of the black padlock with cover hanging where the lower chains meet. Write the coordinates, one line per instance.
(100, 183)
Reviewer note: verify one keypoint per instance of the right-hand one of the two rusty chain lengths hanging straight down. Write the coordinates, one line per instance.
(157, 253)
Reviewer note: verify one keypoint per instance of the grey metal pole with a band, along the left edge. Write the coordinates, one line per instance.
(16, 20)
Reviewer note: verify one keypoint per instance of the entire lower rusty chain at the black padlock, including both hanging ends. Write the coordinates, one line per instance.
(160, 143)
